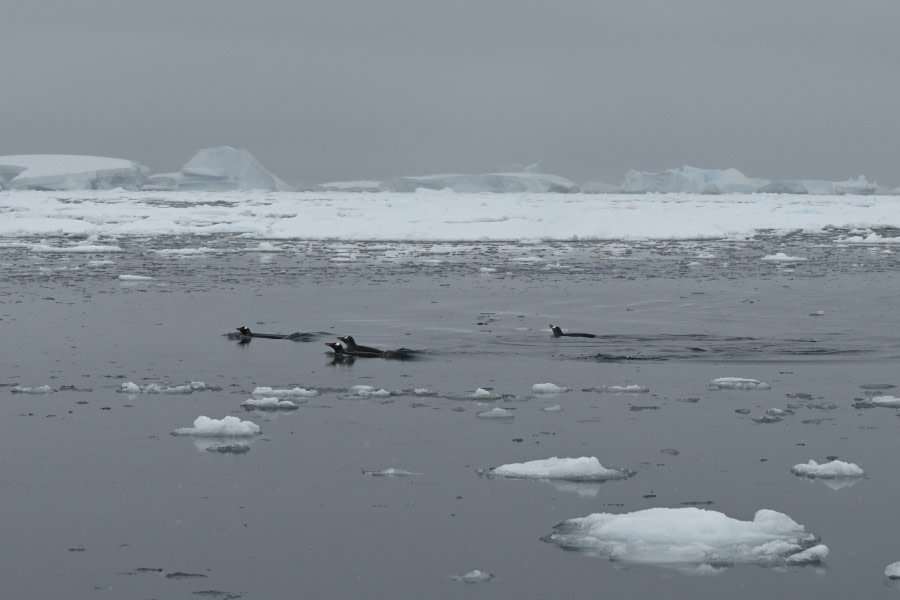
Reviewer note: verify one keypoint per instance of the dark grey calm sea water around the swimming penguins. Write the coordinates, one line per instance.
(100, 501)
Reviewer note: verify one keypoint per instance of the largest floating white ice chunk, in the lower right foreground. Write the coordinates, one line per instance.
(679, 536)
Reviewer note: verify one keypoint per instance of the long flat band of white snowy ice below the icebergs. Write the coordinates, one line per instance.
(436, 216)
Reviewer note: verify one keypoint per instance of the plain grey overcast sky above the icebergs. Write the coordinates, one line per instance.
(323, 90)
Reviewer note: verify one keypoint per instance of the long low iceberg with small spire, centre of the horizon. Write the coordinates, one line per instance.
(497, 183)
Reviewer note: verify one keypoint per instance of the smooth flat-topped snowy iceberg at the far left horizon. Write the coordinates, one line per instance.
(60, 172)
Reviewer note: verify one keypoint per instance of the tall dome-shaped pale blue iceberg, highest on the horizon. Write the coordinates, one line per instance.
(220, 168)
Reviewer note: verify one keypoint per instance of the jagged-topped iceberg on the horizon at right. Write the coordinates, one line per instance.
(691, 180)
